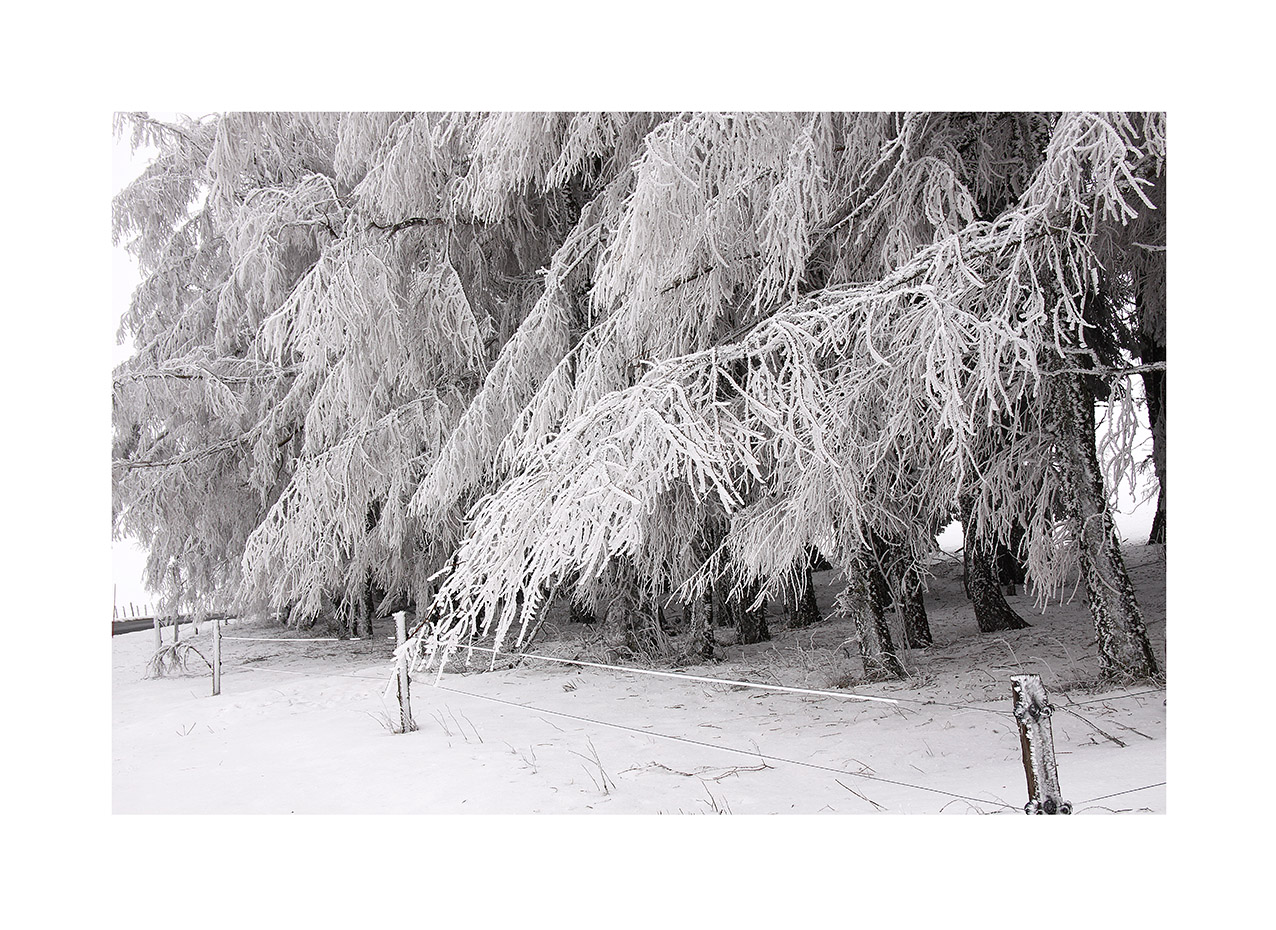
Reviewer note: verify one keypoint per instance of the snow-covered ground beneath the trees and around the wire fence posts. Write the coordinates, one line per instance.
(303, 728)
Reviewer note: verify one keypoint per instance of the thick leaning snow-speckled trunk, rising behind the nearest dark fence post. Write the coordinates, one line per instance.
(1125, 651)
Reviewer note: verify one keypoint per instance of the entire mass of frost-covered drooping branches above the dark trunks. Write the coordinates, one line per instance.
(469, 362)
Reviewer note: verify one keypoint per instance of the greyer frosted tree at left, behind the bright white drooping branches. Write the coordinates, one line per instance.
(322, 297)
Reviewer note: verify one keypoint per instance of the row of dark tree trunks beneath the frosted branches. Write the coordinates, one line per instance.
(881, 579)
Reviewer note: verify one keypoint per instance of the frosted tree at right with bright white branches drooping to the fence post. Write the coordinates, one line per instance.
(835, 346)
